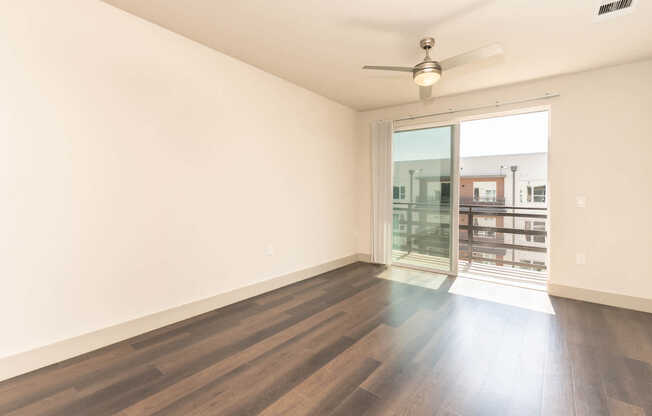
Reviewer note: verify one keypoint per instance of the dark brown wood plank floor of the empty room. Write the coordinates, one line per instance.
(349, 343)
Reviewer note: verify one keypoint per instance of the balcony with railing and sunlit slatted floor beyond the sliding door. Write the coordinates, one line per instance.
(494, 239)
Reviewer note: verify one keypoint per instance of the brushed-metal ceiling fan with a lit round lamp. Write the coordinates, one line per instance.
(428, 71)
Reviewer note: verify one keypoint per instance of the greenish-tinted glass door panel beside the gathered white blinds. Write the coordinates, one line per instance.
(425, 198)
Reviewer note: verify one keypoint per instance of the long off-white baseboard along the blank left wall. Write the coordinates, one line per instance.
(50, 354)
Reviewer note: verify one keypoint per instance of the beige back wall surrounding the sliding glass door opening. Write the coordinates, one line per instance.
(601, 148)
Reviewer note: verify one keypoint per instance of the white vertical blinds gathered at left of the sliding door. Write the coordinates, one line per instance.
(381, 185)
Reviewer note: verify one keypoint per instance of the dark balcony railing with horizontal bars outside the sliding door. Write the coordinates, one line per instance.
(425, 228)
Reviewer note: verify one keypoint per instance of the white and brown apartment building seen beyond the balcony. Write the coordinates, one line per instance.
(422, 195)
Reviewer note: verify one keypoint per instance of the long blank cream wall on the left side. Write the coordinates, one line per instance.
(142, 171)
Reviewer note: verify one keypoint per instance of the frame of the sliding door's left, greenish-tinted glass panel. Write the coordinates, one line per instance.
(455, 190)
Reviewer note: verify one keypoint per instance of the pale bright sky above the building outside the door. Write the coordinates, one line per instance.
(520, 133)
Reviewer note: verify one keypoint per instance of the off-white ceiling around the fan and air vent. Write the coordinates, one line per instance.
(321, 44)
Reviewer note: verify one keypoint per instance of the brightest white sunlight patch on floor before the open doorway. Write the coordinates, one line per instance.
(534, 300)
